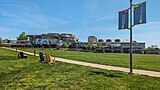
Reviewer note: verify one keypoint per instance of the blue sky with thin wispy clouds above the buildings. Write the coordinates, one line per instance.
(80, 17)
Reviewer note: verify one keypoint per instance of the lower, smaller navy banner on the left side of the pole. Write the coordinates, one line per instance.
(123, 20)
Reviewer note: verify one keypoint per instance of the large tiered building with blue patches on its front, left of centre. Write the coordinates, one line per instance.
(53, 38)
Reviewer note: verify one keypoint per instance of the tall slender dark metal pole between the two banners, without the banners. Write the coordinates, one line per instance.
(131, 37)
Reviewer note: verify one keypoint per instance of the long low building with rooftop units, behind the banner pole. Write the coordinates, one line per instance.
(116, 47)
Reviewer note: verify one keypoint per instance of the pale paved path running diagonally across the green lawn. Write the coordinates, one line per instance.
(135, 71)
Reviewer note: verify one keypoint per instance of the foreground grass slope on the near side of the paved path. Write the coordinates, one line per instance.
(30, 74)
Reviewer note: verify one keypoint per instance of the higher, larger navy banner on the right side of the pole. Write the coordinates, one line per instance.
(140, 13)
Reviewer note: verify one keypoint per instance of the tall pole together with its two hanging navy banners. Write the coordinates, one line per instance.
(139, 18)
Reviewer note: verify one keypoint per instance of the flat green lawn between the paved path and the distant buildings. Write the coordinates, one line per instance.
(140, 61)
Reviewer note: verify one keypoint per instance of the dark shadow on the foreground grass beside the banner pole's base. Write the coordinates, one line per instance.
(104, 74)
